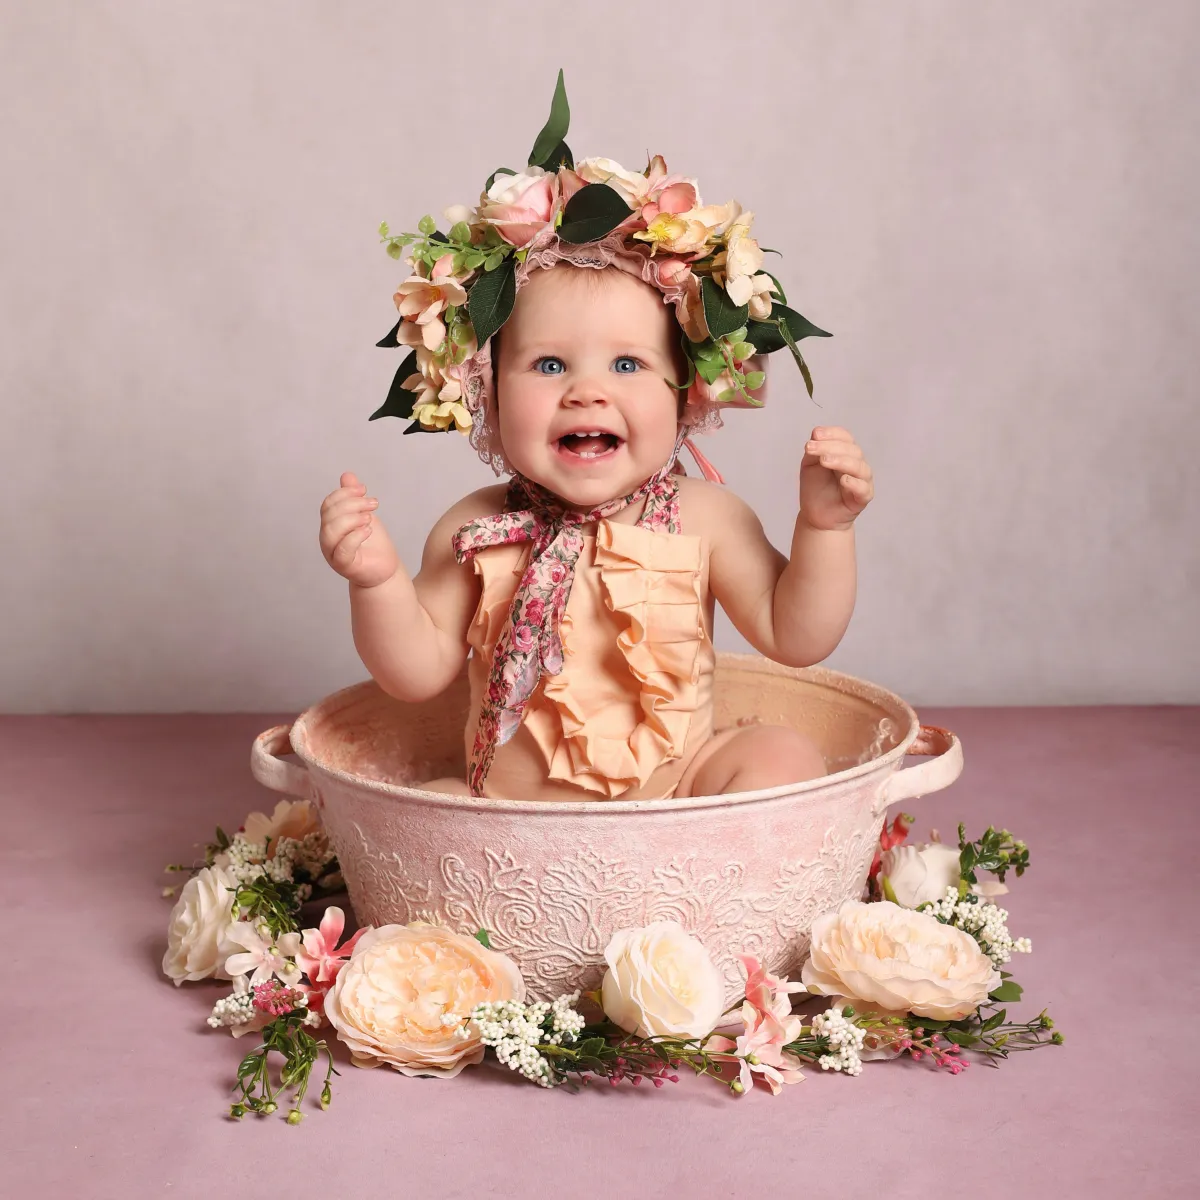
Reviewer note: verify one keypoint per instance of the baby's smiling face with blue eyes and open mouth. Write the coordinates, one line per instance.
(581, 358)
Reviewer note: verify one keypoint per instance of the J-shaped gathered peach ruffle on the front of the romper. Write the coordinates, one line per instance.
(652, 580)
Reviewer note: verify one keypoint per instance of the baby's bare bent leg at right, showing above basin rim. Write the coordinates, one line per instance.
(754, 758)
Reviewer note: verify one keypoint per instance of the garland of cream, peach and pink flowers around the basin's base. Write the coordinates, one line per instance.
(913, 970)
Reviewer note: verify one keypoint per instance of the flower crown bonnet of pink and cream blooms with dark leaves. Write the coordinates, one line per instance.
(651, 224)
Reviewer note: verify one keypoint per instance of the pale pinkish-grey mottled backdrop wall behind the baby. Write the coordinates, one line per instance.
(993, 207)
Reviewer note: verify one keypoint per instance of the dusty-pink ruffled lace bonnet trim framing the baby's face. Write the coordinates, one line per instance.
(704, 411)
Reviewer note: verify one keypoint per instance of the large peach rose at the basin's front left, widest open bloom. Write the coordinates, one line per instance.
(406, 992)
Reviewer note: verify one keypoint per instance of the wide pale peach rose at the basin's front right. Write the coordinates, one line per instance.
(898, 959)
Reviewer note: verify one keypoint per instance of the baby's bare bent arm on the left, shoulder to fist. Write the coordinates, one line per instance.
(410, 633)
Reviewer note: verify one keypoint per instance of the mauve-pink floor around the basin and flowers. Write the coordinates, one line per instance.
(113, 1085)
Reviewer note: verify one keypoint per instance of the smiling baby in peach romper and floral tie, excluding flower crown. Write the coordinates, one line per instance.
(584, 592)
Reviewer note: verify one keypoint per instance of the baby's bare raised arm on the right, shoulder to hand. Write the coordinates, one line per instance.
(796, 611)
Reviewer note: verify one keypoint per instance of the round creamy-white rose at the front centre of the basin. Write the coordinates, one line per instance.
(662, 983)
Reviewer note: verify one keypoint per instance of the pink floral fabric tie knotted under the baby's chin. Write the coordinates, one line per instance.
(530, 643)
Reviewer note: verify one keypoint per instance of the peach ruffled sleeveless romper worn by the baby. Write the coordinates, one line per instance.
(634, 701)
